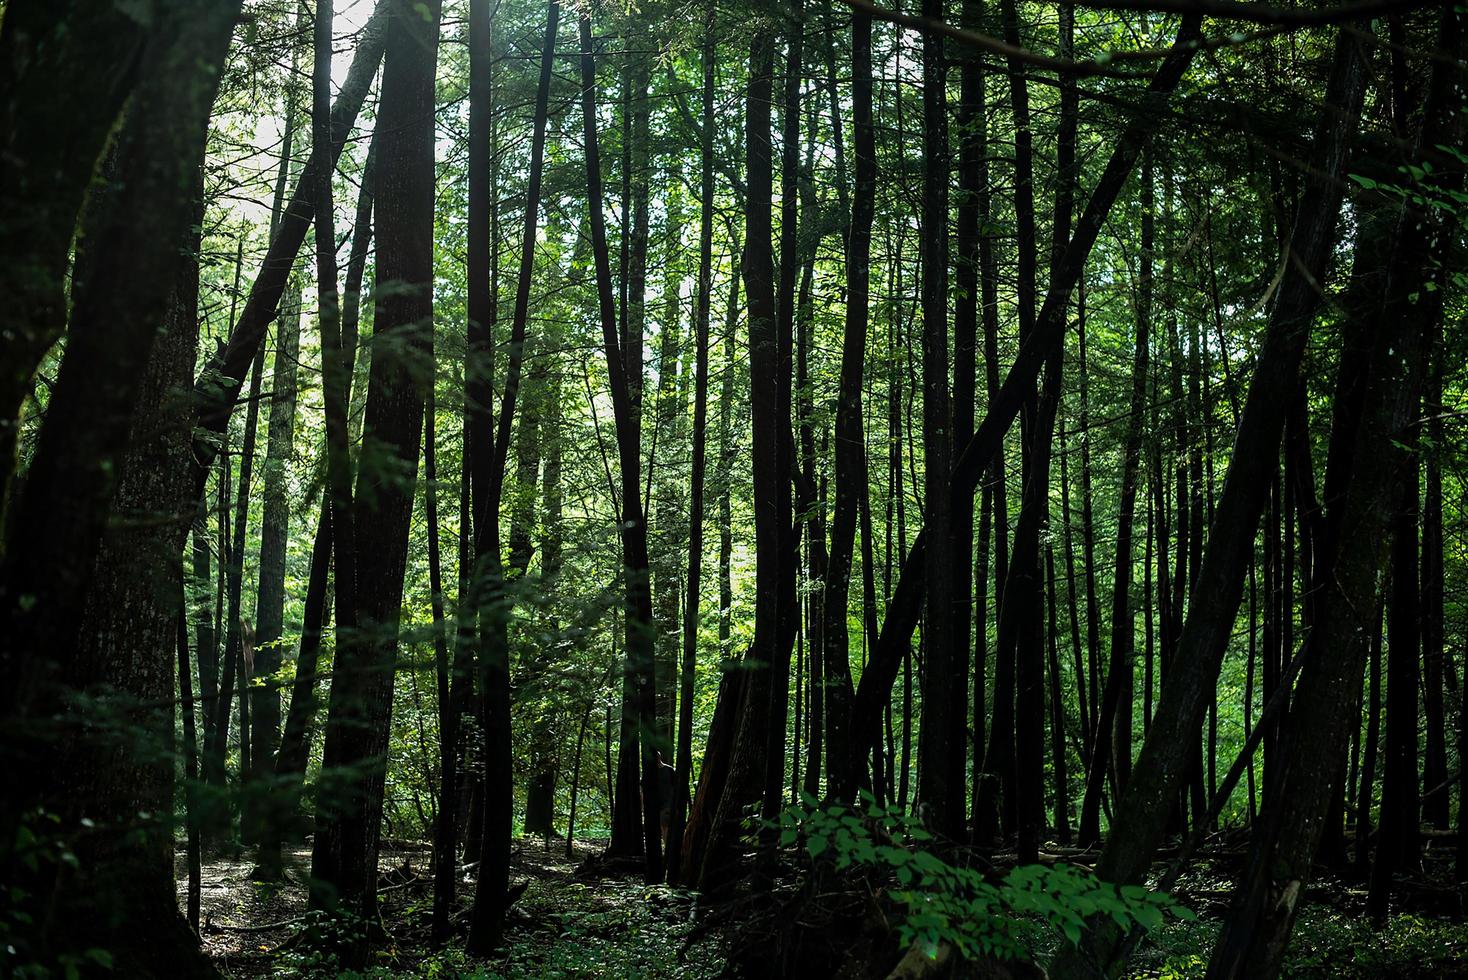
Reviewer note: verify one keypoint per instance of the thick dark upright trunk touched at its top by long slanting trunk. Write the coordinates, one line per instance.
(344, 860)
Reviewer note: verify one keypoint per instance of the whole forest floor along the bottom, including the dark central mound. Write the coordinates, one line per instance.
(581, 918)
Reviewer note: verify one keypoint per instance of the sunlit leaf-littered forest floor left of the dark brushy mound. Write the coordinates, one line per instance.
(570, 921)
